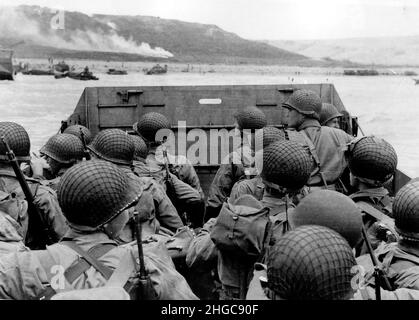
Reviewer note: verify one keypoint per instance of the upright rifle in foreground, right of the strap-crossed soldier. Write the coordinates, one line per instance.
(145, 290)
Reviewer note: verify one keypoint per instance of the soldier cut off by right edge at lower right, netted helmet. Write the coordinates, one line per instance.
(400, 259)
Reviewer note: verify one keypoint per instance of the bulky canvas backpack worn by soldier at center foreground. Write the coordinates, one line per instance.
(242, 228)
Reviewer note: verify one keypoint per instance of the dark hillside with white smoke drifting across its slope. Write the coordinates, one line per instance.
(131, 38)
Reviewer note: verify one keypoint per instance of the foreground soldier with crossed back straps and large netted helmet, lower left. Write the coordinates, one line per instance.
(97, 199)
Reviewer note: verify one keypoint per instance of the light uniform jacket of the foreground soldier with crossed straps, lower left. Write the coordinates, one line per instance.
(27, 275)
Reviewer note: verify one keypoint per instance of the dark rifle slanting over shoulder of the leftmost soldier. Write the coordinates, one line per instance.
(35, 220)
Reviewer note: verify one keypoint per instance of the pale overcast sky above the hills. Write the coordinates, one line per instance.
(267, 19)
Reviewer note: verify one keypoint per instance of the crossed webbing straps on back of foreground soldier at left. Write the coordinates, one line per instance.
(89, 259)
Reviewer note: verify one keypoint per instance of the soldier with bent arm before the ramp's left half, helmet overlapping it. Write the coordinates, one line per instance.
(175, 173)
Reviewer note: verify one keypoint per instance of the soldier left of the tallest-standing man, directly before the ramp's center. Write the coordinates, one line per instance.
(239, 164)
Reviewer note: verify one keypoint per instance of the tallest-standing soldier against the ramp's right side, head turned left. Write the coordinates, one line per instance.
(325, 143)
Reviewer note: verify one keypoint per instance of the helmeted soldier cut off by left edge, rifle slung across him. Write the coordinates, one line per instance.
(14, 203)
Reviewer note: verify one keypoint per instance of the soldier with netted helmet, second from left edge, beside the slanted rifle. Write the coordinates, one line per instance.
(61, 152)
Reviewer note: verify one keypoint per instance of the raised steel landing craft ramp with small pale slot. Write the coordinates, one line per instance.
(200, 107)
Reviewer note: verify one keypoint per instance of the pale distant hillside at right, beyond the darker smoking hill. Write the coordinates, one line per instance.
(391, 51)
